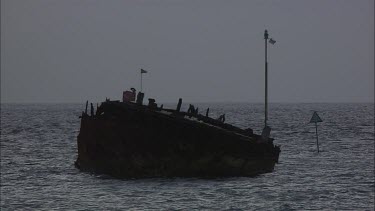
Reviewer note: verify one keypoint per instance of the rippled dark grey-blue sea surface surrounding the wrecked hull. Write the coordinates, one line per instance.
(38, 150)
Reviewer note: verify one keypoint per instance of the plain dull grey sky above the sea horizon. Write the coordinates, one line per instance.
(202, 51)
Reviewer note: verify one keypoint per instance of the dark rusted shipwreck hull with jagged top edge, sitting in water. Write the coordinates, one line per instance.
(130, 140)
